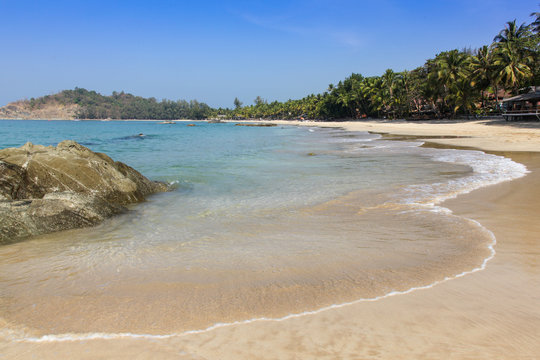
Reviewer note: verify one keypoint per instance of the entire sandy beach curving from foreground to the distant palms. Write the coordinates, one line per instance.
(492, 313)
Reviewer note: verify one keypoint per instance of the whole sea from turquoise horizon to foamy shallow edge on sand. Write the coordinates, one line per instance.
(261, 224)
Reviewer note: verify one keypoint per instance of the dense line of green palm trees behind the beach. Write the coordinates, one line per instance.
(455, 82)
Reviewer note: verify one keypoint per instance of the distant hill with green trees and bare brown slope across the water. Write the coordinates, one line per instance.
(84, 104)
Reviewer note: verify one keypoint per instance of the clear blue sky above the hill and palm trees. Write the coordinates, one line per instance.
(214, 51)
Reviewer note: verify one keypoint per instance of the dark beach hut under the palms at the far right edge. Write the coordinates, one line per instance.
(523, 107)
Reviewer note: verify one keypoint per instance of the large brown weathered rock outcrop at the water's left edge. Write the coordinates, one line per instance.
(45, 189)
